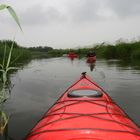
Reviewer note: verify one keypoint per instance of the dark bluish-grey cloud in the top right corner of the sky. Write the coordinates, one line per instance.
(125, 8)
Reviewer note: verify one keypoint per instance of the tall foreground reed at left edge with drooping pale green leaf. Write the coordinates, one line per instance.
(4, 69)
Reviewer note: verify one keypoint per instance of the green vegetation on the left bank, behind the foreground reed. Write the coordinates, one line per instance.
(21, 54)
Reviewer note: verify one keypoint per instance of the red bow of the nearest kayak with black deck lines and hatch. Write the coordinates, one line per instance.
(85, 112)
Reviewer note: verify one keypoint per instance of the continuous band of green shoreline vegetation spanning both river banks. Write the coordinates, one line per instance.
(122, 50)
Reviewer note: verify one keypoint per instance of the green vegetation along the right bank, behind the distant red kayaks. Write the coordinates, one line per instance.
(122, 50)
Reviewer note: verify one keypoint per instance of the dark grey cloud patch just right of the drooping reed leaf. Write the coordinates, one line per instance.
(40, 15)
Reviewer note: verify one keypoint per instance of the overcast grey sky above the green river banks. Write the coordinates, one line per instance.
(71, 23)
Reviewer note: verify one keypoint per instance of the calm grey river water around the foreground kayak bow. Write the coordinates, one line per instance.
(40, 83)
